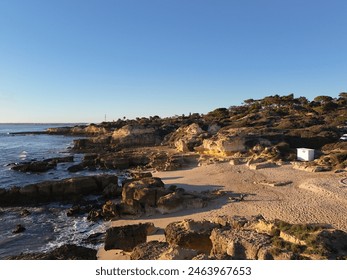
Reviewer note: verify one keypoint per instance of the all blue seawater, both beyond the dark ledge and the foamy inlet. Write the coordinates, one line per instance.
(48, 226)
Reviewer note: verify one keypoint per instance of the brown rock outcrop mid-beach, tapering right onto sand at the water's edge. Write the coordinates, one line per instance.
(148, 196)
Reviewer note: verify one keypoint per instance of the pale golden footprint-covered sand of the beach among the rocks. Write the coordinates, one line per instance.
(311, 198)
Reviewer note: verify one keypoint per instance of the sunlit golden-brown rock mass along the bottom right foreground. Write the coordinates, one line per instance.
(240, 238)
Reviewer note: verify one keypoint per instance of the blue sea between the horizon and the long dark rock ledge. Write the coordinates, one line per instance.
(26, 147)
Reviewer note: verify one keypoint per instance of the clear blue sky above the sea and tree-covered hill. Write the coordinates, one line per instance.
(77, 60)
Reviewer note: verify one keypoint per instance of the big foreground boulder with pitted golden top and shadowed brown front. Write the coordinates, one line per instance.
(190, 234)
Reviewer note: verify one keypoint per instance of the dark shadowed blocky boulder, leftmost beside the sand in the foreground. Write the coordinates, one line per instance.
(125, 238)
